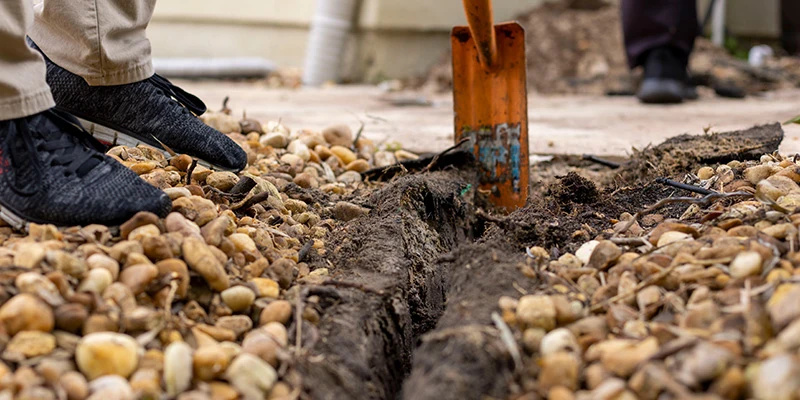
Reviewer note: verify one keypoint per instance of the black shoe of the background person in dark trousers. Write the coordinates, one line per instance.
(665, 78)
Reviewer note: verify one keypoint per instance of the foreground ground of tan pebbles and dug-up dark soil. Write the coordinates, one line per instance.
(328, 270)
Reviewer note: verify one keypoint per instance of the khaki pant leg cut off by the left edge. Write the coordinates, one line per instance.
(23, 89)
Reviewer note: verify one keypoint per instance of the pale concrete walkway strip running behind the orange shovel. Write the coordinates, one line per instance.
(558, 124)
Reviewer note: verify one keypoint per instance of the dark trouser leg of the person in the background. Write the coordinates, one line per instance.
(648, 24)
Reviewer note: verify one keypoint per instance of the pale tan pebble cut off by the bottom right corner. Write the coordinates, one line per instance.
(776, 378)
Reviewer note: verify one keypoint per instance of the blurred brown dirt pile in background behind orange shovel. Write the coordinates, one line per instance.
(577, 47)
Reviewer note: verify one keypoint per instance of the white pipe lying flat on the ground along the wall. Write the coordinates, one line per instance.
(243, 67)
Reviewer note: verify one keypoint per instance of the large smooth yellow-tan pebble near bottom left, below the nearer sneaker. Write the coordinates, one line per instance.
(107, 353)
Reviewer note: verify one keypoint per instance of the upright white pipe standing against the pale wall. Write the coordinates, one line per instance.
(327, 39)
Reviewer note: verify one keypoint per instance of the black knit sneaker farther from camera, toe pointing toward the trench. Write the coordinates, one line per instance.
(153, 112)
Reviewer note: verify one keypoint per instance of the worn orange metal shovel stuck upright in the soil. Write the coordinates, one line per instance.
(491, 101)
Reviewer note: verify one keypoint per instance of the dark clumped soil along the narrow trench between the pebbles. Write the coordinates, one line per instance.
(407, 311)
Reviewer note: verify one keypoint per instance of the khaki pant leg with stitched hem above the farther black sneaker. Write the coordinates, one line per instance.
(102, 41)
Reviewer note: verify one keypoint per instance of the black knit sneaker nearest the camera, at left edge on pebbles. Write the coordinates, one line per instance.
(52, 172)
